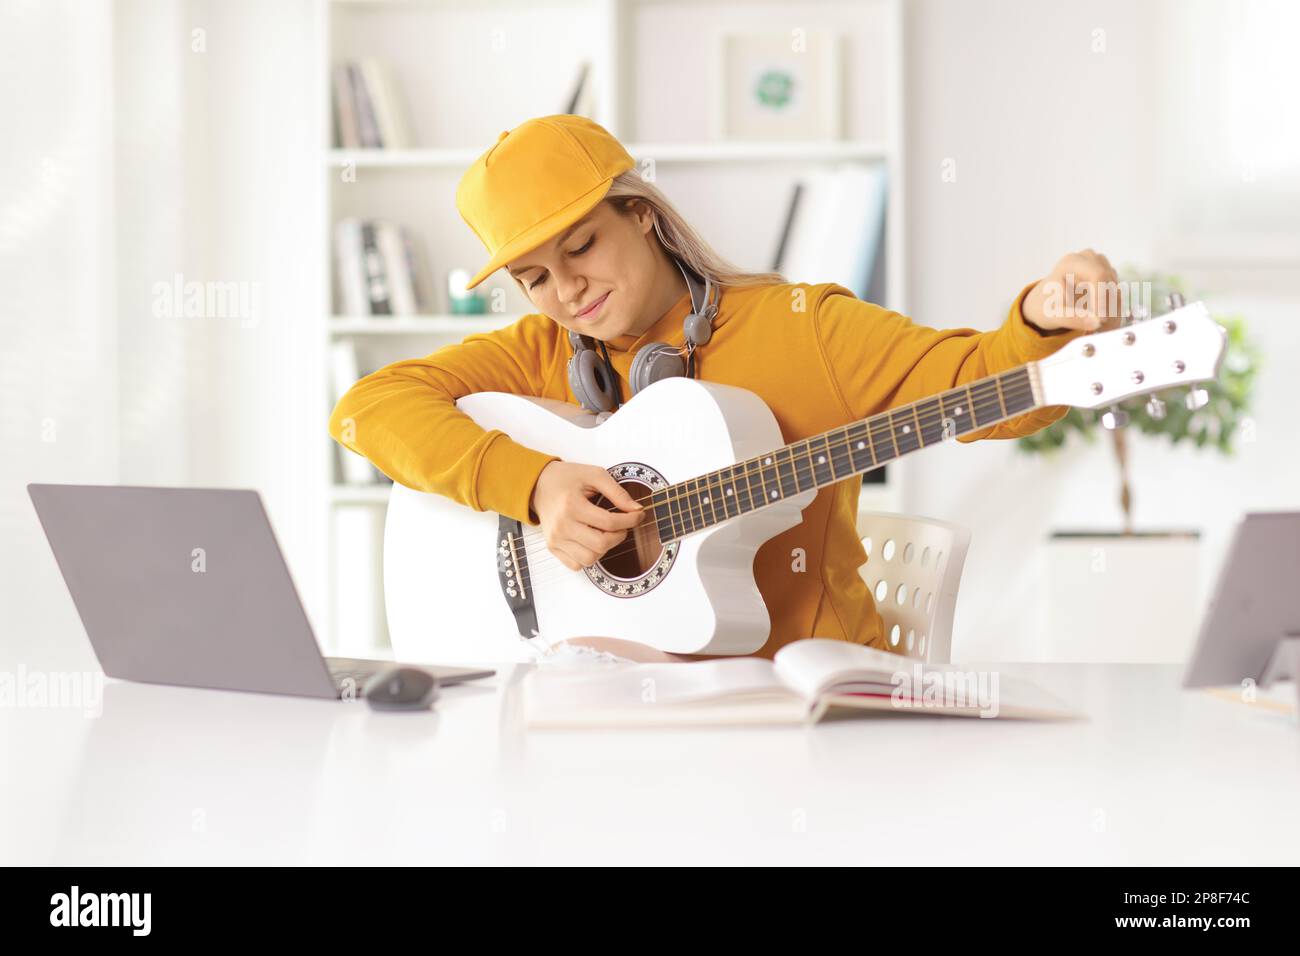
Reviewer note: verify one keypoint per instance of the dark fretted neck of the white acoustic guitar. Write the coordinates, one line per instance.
(842, 453)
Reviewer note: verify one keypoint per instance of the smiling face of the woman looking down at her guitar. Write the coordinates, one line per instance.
(595, 278)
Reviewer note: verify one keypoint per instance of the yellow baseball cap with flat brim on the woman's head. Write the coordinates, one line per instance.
(536, 181)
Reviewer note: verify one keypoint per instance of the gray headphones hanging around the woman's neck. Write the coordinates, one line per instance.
(595, 384)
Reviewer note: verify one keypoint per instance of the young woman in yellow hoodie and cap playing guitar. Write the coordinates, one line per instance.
(601, 253)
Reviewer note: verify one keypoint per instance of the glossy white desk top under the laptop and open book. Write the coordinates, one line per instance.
(171, 776)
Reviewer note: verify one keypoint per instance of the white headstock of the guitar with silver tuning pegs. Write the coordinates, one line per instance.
(1185, 347)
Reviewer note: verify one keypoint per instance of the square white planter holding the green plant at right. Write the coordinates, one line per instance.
(1113, 598)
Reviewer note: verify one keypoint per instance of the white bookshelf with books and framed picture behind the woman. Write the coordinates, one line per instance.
(473, 70)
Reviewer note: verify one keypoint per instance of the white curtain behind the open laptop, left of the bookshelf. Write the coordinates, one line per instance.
(142, 141)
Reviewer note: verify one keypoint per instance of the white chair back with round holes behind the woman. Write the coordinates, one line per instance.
(913, 569)
